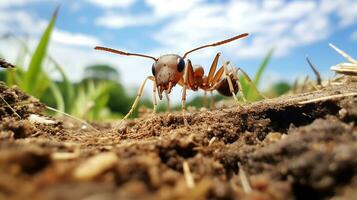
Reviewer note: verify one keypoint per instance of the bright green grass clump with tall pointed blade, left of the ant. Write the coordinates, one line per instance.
(35, 81)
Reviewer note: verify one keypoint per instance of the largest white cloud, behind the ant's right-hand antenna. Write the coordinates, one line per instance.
(281, 24)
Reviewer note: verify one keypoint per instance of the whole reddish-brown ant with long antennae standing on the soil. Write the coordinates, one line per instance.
(170, 69)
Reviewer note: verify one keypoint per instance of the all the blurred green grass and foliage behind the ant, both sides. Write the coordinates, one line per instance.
(100, 94)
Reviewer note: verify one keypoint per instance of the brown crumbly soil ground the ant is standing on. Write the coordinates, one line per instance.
(283, 148)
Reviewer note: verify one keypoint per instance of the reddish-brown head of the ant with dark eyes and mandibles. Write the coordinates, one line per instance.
(168, 70)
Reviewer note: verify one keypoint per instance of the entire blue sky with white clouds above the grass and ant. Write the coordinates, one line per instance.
(294, 28)
